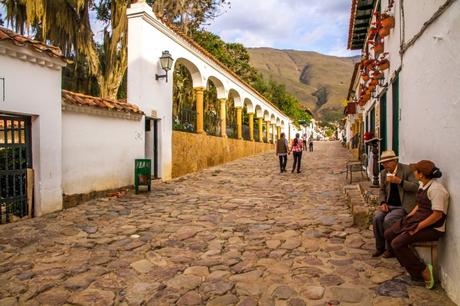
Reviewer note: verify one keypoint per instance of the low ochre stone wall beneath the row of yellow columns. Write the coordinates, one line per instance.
(193, 152)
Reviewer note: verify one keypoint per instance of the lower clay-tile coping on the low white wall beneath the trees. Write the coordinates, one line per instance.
(108, 104)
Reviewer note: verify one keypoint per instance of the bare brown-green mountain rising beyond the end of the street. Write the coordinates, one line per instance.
(320, 82)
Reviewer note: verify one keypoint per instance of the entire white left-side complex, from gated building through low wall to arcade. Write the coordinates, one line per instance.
(58, 148)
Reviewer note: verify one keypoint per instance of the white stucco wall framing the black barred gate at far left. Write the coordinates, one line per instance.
(35, 90)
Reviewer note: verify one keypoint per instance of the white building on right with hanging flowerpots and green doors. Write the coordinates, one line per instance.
(406, 92)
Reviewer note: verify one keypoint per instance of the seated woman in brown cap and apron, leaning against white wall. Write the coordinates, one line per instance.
(426, 222)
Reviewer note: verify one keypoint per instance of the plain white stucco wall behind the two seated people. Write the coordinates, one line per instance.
(430, 125)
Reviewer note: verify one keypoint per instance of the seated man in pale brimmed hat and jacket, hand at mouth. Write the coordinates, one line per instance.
(398, 187)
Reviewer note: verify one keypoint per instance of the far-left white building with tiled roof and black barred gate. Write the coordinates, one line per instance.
(30, 125)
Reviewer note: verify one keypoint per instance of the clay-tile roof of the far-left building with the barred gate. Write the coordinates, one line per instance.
(35, 45)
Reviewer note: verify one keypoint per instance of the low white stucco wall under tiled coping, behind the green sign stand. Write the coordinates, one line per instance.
(99, 152)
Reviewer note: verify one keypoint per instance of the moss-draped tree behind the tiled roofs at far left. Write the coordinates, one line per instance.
(66, 24)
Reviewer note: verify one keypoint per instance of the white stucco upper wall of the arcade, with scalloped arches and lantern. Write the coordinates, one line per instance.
(146, 40)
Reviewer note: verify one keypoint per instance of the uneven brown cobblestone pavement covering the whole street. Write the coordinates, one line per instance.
(238, 234)
